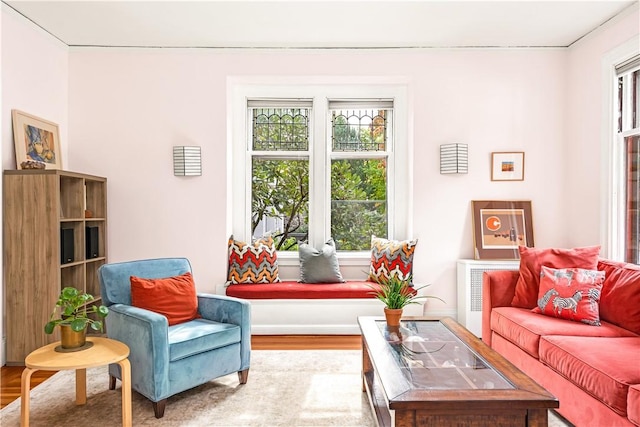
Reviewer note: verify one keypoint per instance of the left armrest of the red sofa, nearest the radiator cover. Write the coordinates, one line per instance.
(498, 289)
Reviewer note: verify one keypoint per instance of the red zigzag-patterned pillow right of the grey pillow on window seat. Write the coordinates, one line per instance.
(391, 258)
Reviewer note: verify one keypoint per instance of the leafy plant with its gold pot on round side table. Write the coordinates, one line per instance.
(74, 309)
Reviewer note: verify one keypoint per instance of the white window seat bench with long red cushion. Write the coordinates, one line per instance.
(290, 307)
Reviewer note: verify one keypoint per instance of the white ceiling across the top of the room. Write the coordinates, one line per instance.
(320, 24)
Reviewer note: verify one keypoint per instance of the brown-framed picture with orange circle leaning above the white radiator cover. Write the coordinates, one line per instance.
(500, 226)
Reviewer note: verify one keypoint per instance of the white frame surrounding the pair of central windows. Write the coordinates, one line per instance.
(400, 167)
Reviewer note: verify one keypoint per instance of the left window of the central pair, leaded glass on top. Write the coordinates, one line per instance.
(279, 151)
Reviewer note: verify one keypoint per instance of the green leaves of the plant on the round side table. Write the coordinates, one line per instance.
(74, 309)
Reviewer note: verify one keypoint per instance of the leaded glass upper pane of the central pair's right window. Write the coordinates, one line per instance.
(359, 130)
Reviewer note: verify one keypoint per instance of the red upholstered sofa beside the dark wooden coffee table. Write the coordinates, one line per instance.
(594, 371)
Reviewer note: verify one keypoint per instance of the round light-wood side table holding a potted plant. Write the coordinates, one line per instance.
(103, 352)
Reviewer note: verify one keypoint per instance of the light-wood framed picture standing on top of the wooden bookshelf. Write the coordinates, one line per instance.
(36, 140)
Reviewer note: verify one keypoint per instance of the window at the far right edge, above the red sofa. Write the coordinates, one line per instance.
(628, 140)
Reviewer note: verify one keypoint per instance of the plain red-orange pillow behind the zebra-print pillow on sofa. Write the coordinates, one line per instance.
(532, 260)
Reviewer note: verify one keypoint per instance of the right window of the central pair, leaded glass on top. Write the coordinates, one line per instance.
(361, 144)
